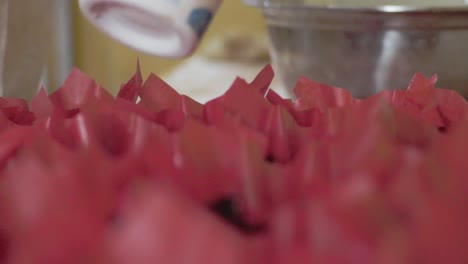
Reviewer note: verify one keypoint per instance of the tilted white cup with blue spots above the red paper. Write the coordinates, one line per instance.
(164, 28)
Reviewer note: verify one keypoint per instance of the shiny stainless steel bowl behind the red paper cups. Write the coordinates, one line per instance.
(368, 47)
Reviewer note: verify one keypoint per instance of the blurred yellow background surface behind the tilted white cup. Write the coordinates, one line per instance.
(111, 63)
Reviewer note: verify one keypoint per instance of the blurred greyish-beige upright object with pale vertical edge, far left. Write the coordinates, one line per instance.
(35, 45)
